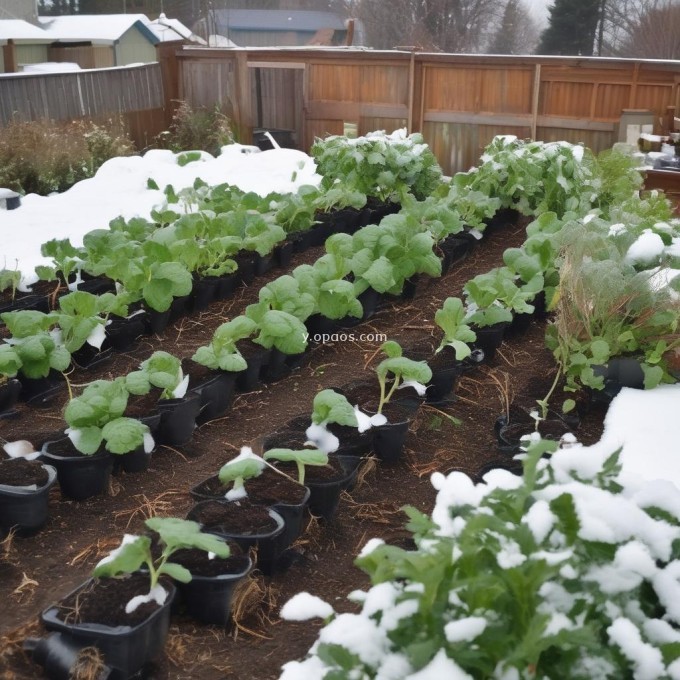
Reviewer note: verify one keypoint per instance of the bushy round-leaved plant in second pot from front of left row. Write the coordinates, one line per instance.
(95, 417)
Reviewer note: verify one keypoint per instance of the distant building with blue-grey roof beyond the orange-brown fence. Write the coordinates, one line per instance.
(278, 28)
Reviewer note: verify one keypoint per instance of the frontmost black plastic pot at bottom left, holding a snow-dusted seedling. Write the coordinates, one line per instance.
(126, 649)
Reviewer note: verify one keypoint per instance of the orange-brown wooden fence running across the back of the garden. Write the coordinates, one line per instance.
(458, 102)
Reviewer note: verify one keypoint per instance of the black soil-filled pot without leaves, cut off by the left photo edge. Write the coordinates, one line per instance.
(24, 508)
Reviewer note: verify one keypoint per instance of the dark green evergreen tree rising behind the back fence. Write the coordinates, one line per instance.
(572, 27)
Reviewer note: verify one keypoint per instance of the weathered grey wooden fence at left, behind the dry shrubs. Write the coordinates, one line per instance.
(135, 93)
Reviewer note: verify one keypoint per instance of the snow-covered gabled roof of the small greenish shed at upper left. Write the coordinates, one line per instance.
(100, 29)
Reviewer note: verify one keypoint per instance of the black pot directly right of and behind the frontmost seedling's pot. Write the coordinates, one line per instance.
(207, 599)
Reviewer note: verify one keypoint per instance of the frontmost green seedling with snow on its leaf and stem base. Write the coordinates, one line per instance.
(134, 552)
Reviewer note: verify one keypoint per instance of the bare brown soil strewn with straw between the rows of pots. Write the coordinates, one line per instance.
(37, 571)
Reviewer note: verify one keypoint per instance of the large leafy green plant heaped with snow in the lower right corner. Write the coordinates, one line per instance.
(569, 572)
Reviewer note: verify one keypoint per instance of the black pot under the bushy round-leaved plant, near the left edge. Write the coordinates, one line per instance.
(80, 477)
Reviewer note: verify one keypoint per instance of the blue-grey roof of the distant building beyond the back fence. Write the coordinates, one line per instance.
(278, 20)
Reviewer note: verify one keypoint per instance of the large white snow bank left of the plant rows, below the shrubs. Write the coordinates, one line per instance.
(120, 188)
